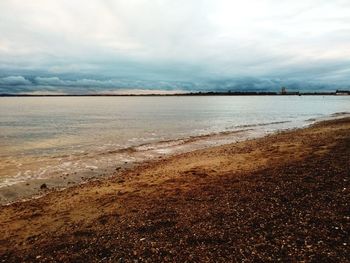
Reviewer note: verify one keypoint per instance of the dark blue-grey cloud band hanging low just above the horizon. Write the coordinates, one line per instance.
(88, 85)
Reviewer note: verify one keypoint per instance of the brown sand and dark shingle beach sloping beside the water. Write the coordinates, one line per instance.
(283, 197)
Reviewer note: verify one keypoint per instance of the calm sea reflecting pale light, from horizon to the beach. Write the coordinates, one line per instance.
(51, 137)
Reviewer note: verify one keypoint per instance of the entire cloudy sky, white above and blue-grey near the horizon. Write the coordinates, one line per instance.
(112, 46)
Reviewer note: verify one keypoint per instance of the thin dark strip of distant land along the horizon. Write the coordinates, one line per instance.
(345, 93)
